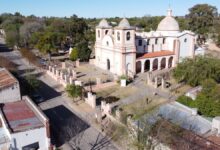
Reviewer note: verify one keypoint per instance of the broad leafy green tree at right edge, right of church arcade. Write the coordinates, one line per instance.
(195, 71)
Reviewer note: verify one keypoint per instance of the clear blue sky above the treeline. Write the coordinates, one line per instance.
(100, 8)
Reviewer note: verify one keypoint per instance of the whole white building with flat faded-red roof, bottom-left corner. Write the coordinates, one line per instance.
(23, 127)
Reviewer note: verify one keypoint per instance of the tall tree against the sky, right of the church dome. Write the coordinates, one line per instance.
(201, 18)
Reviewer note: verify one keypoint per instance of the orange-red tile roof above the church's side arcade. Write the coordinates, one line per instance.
(156, 54)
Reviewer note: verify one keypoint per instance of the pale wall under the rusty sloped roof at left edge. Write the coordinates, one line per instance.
(10, 94)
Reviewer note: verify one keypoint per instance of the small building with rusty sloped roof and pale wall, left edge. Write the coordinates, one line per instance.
(9, 87)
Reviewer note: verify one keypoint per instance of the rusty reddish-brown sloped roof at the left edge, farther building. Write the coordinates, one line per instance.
(6, 78)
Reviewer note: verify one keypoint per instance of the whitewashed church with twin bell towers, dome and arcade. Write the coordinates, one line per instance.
(123, 50)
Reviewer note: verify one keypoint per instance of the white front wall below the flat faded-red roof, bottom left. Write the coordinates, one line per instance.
(29, 137)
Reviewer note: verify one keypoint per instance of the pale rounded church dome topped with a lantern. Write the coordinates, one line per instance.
(168, 23)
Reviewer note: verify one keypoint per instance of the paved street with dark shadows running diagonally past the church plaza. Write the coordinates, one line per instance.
(66, 124)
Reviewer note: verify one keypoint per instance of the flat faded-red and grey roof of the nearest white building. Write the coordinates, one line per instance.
(20, 116)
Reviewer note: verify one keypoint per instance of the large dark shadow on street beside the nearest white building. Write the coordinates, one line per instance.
(64, 124)
